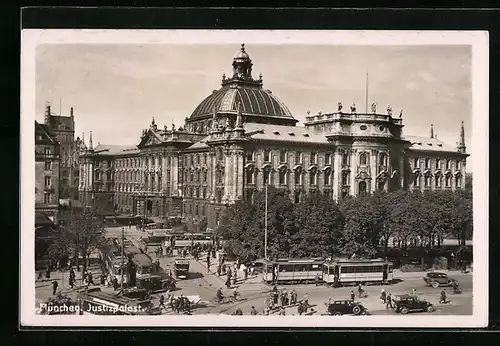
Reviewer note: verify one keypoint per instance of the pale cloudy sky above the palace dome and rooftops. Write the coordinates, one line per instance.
(117, 89)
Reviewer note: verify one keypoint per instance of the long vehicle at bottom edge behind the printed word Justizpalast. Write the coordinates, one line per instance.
(96, 302)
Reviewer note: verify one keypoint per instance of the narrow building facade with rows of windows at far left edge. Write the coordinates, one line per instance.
(47, 170)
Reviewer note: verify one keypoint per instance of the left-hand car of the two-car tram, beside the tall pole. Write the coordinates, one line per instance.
(291, 271)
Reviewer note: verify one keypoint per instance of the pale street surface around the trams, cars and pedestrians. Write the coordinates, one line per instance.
(254, 291)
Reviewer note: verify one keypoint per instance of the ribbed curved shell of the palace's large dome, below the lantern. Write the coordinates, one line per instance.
(252, 100)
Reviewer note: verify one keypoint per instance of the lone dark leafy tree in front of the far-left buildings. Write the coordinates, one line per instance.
(82, 234)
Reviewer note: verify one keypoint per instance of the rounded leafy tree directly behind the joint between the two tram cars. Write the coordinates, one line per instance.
(318, 227)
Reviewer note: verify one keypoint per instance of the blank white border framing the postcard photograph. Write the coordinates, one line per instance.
(478, 40)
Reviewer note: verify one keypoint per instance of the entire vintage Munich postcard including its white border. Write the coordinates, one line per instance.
(254, 178)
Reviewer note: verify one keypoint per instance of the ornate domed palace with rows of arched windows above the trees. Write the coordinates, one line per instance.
(242, 136)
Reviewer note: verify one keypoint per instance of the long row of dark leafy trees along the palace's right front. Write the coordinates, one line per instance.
(318, 227)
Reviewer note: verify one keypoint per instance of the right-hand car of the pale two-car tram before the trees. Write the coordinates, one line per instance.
(341, 272)
